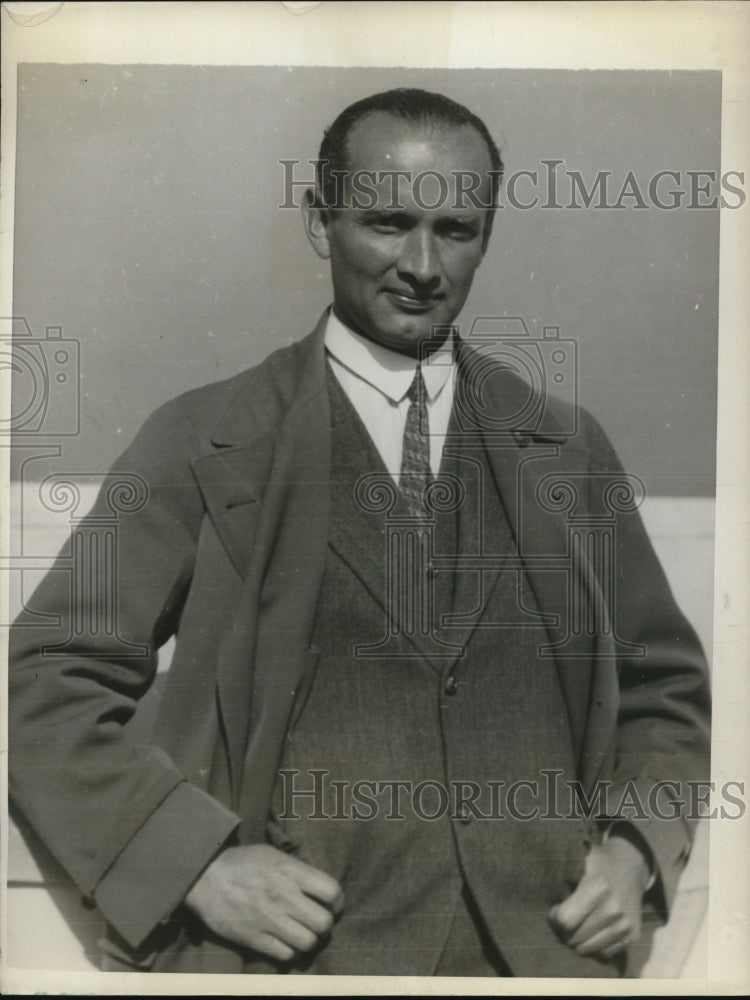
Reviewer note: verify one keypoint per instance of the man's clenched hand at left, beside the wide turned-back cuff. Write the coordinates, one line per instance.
(266, 900)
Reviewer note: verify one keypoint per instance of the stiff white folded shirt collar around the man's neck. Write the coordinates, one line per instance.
(388, 371)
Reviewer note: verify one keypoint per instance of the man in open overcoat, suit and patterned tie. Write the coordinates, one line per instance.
(371, 595)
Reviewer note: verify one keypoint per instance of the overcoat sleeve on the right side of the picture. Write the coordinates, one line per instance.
(661, 742)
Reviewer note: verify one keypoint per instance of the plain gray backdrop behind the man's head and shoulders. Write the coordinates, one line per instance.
(148, 228)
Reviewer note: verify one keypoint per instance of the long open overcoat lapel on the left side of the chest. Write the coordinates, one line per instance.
(267, 493)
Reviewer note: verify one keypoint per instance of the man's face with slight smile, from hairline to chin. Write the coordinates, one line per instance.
(398, 271)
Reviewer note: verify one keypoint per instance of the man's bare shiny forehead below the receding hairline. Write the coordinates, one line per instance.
(383, 142)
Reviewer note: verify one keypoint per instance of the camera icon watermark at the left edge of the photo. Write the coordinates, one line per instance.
(45, 380)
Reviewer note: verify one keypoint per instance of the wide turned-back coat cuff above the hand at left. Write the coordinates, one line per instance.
(156, 870)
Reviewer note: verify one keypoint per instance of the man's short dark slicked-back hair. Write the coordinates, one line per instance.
(419, 107)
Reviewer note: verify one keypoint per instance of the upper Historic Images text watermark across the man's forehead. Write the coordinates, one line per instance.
(549, 185)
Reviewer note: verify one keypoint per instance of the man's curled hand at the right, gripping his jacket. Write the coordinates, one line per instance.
(603, 915)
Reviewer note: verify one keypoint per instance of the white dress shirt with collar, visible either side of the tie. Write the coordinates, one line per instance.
(377, 381)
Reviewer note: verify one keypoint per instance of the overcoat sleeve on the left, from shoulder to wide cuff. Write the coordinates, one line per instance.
(120, 817)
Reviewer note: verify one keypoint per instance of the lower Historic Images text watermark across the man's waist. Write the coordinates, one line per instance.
(539, 797)
